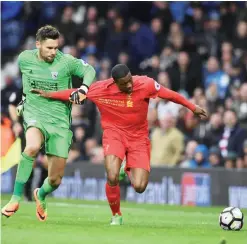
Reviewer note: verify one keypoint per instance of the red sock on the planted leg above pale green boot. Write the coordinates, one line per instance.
(113, 197)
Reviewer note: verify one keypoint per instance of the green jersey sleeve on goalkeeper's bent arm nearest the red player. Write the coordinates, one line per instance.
(81, 69)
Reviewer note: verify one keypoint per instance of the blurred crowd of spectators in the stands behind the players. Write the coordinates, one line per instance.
(198, 49)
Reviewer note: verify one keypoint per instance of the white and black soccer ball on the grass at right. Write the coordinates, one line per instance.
(231, 219)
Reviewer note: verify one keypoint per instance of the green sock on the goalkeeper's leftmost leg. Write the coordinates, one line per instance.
(23, 173)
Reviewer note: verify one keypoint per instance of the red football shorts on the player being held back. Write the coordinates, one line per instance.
(136, 151)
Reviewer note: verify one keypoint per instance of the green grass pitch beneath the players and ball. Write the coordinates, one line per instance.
(87, 222)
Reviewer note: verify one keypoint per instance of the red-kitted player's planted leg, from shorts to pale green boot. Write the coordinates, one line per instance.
(114, 151)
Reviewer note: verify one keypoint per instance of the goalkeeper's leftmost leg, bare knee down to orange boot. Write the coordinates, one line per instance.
(34, 141)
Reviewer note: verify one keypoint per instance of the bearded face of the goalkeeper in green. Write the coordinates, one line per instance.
(47, 49)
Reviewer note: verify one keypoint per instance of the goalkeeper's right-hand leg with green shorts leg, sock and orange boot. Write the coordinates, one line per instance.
(57, 148)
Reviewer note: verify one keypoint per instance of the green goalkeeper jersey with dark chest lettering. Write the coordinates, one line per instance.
(55, 76)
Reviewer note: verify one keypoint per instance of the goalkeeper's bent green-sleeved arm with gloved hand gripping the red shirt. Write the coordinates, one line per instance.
(82, 70)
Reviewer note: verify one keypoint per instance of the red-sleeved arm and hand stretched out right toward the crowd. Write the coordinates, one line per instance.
(177, 98)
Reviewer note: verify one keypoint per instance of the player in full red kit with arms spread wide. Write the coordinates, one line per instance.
(123, 103)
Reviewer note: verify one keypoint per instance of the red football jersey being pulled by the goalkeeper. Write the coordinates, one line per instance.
(121, 111)
